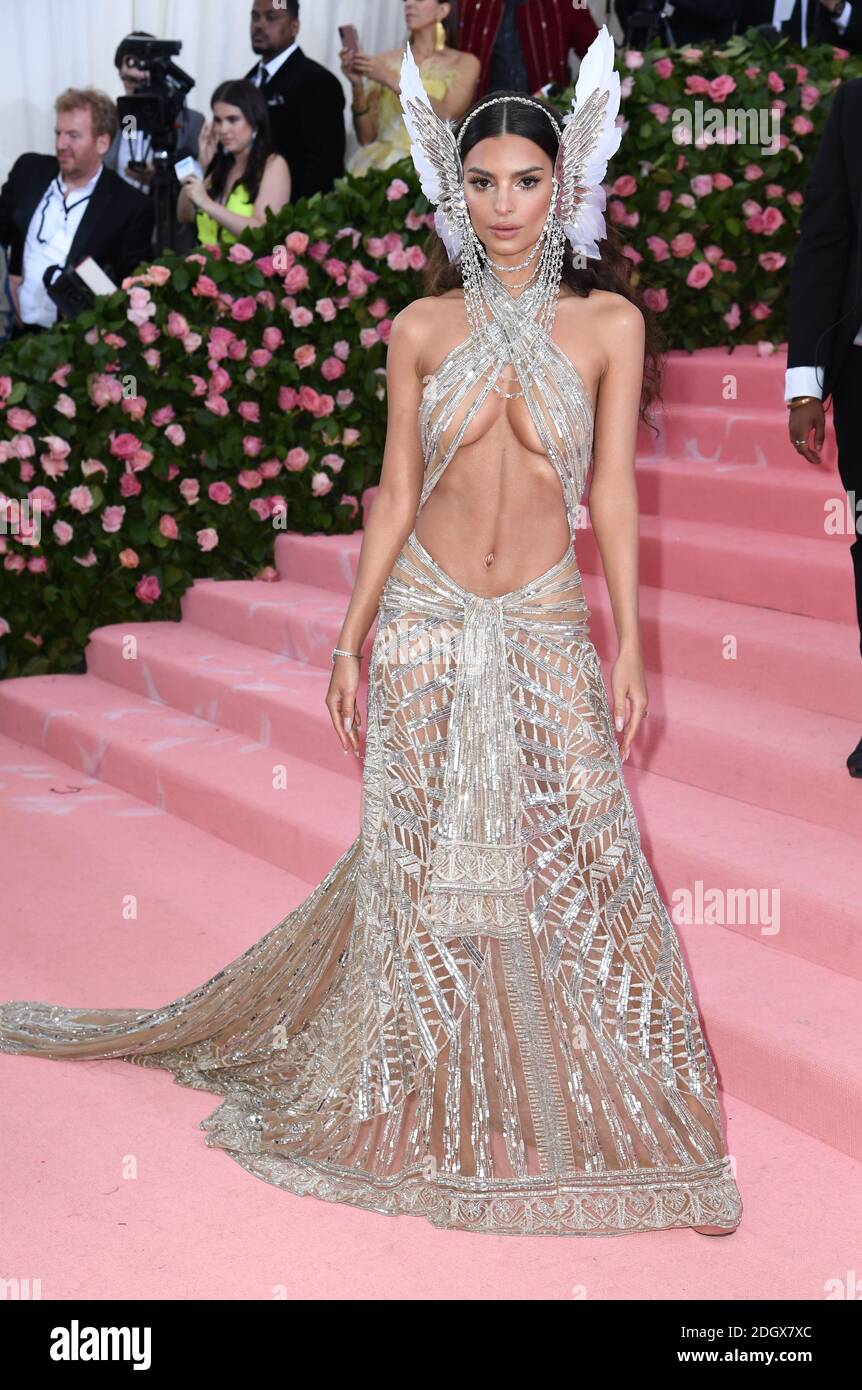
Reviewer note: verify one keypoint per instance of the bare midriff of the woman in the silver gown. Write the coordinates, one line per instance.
(497, 516)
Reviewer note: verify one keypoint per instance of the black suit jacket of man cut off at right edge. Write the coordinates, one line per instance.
(827, 281)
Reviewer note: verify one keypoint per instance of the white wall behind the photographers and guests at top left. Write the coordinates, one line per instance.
(49, 45)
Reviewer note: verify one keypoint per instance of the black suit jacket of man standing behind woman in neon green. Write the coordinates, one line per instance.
(308, 115)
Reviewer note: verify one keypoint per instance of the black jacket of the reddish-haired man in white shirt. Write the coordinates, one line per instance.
(116, 229)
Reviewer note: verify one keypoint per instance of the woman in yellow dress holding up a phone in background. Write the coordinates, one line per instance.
(450, 77)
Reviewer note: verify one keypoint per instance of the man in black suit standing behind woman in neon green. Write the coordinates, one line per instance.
(307, 101)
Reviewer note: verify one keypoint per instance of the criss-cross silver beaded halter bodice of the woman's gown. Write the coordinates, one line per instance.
(553, 389)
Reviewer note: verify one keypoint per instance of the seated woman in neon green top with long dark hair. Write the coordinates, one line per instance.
(243, 177)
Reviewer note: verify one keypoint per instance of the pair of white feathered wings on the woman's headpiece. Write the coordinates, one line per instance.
(590, 138)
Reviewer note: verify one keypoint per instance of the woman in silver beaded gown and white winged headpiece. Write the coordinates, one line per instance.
(482, 1014)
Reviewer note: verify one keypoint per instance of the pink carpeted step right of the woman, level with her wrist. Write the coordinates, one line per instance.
(758, 653)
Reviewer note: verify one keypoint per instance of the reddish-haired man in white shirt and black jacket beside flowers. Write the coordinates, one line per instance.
(58, 211)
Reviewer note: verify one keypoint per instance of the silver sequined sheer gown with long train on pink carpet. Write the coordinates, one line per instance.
(482, 1014)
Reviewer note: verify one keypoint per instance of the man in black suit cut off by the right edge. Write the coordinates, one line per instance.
(825, 336)
